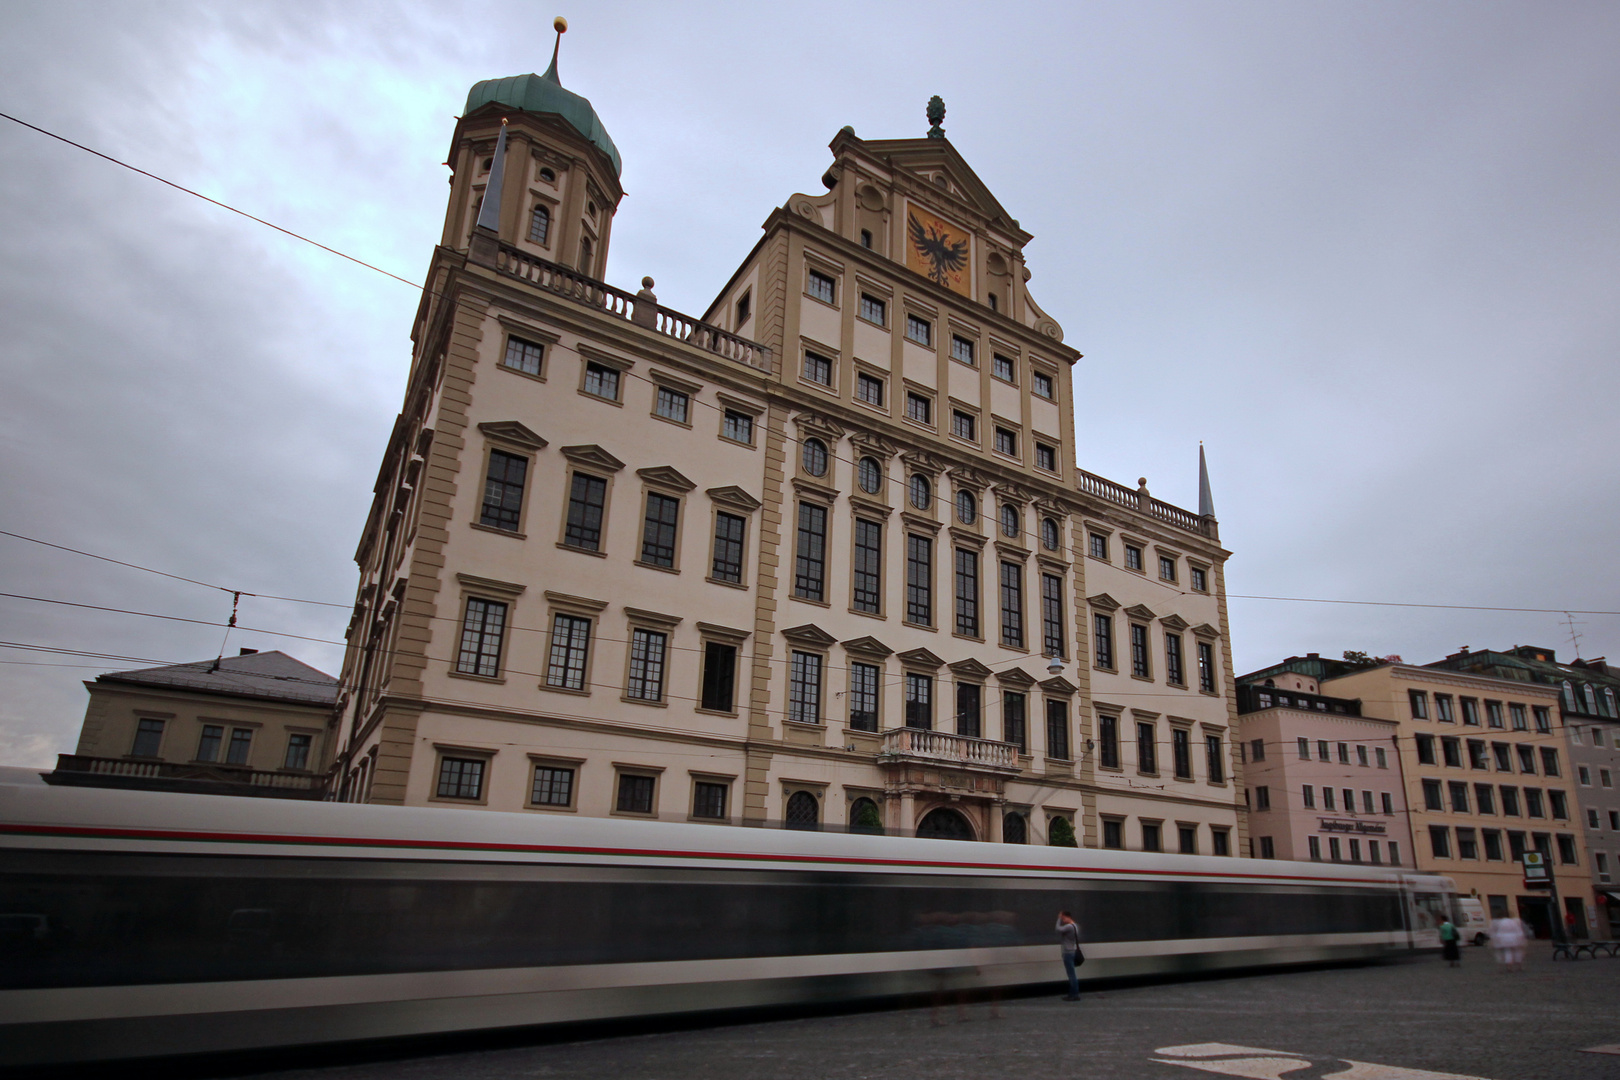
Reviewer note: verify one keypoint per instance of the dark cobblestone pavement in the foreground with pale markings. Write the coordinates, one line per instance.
(1407, 1021)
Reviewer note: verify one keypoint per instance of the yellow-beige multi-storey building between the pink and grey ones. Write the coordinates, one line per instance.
(1485, 772)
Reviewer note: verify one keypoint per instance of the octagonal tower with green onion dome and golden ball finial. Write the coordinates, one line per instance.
(555, 187)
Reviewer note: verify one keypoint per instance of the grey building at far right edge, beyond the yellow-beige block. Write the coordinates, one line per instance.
(1590, 723)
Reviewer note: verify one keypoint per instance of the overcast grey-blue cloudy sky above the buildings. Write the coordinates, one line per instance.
(1368, 253)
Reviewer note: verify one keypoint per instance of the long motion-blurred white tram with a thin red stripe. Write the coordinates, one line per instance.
(142, 924)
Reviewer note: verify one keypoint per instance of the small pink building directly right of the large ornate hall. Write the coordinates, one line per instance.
(1324, 781)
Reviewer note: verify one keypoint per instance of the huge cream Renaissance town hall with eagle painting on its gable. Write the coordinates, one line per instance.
(821, 558)
